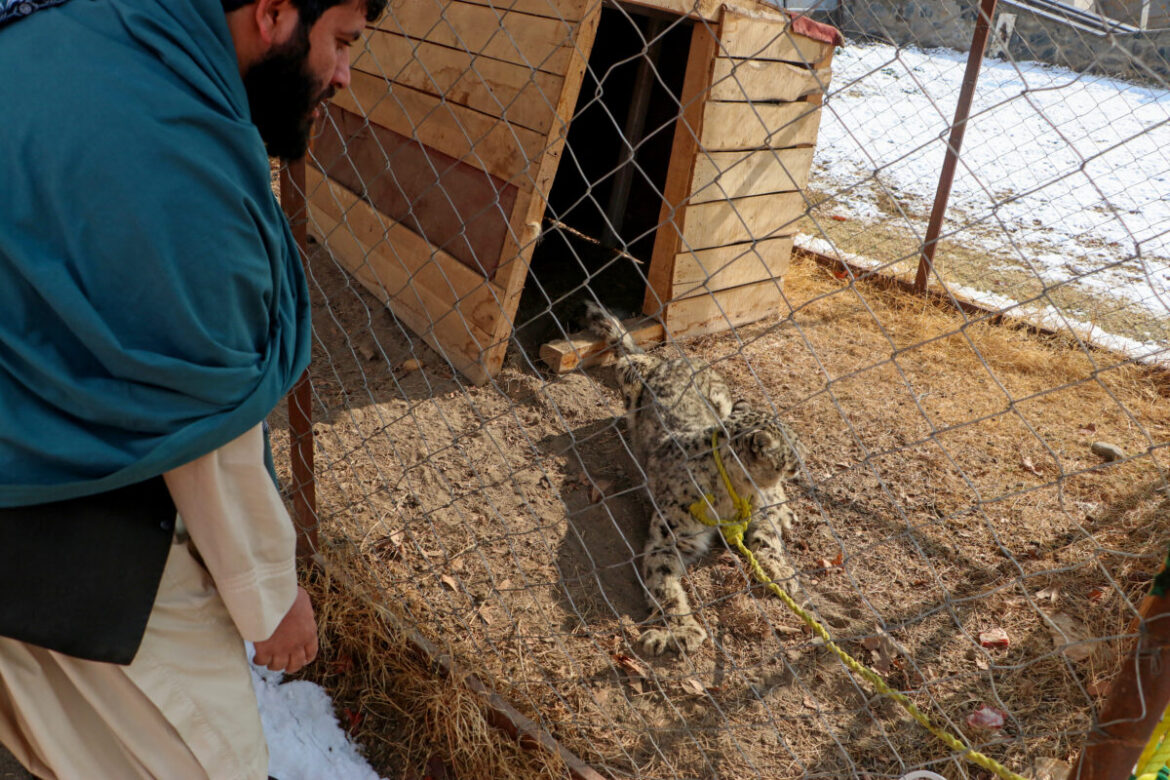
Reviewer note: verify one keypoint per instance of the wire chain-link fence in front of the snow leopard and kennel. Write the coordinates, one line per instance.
(981, 491)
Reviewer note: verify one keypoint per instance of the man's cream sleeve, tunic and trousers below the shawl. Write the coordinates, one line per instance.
(185, 707)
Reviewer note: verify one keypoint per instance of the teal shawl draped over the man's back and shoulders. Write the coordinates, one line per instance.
(153, 305)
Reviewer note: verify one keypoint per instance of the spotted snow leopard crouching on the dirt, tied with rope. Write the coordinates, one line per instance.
(673, 409)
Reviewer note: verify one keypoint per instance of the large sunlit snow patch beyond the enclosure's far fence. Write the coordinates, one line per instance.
(1063, 174)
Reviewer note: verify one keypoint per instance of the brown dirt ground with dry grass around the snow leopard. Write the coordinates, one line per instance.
(949, 492)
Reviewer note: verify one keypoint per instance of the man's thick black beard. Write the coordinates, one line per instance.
(283, 95)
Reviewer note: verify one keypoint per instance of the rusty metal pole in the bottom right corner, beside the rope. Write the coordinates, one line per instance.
(1135, 703)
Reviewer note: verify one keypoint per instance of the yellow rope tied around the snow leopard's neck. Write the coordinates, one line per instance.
(734, 533)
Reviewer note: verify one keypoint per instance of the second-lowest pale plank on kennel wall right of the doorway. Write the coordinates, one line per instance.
(728, 267)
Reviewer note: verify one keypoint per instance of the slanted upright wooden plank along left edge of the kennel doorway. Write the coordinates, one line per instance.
(526, 223)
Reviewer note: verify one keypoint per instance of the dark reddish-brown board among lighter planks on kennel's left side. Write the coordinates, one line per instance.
(455, 206)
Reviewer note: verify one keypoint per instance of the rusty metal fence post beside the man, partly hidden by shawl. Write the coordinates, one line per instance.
(300, 402)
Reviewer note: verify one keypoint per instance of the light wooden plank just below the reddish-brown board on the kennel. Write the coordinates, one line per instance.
(403, 270)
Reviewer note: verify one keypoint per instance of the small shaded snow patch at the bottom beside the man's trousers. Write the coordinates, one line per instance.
(305, 740)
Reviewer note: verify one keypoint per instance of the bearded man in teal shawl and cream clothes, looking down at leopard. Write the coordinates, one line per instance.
(155, 312)
